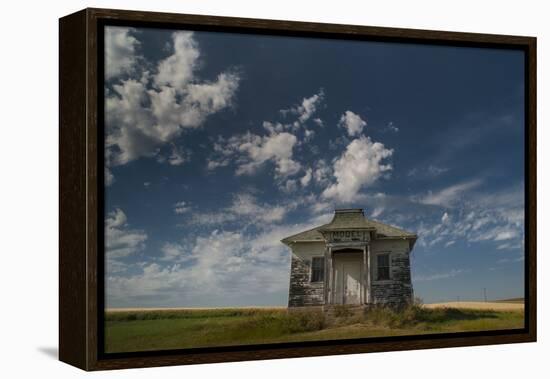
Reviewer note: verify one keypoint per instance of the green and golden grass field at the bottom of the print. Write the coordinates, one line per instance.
(142, 330)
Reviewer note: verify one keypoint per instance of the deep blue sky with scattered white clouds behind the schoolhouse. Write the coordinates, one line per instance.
(218, 145)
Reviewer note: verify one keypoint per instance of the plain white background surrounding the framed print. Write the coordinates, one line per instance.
(28, 194)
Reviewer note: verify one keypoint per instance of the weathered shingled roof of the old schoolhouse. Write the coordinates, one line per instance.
(349, 219)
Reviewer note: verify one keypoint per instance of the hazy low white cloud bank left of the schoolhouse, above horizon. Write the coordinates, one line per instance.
(220, 268)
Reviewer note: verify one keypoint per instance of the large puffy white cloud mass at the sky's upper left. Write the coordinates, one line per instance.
(148, 111)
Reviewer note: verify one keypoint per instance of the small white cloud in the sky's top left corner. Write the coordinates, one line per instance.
(120, 51)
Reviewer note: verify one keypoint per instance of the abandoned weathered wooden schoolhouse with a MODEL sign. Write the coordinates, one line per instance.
(351, 260)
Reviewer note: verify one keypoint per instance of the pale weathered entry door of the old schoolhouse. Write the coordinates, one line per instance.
(347, 280)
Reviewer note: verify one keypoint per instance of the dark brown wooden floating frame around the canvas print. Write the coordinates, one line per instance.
(81, 271)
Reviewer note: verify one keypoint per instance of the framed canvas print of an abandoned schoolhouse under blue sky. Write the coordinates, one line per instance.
(236, 189)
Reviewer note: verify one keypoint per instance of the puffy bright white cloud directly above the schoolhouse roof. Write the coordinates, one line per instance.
(360, 165)
